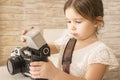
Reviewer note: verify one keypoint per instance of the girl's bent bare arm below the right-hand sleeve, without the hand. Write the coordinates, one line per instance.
(94, 72)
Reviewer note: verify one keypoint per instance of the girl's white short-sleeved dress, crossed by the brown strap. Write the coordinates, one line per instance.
(97, 52)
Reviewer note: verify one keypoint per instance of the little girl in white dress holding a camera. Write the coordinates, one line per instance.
(91, 58)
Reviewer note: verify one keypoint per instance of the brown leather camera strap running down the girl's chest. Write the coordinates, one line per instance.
(67, 55)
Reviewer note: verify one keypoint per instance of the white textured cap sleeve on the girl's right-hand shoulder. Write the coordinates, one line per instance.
(102, 53)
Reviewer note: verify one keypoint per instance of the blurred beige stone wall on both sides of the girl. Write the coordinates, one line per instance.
(17, 15)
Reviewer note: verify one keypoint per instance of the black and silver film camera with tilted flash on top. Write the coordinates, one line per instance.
(36, 50)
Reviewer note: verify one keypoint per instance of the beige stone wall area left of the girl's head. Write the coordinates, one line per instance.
(17, 15)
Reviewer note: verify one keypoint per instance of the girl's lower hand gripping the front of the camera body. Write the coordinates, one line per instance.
(43, 70)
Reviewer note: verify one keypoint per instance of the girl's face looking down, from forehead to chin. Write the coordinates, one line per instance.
(79, 27)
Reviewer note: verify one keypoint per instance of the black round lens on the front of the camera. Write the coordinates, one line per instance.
(15, 65)
